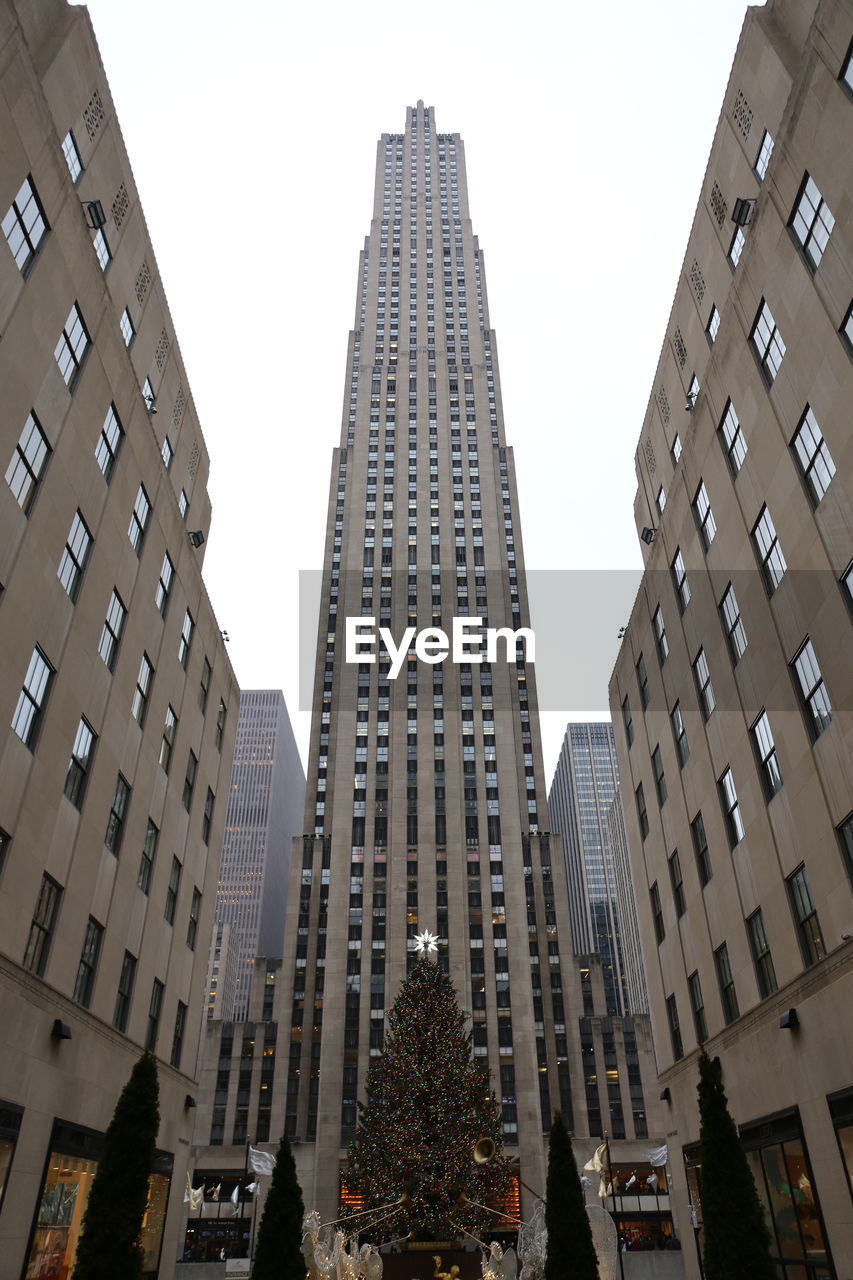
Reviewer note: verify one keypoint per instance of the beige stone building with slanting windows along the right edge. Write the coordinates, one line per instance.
(735, 687)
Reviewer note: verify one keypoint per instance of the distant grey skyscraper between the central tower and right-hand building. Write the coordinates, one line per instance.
(583, 792)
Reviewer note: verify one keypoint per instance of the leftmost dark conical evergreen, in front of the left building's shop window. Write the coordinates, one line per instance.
(110, 1244)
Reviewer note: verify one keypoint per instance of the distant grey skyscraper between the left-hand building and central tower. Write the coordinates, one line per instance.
(264, 813)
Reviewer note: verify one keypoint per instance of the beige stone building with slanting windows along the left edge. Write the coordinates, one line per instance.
(118, 705)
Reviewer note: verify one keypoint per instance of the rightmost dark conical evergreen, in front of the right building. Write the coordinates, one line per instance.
(737, 1240)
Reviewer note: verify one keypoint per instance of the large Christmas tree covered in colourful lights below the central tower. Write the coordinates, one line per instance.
(427, 1108)
